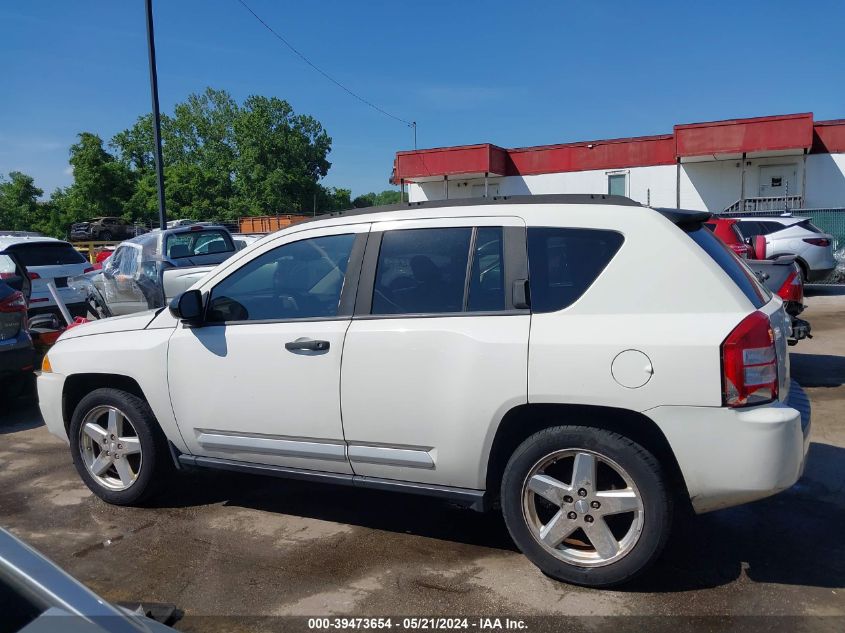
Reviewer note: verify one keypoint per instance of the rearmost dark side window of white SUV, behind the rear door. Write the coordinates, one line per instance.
(562, 263)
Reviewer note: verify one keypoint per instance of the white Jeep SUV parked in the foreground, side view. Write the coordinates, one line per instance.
(538, 352)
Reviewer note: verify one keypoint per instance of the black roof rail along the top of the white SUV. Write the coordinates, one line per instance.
(552, 198)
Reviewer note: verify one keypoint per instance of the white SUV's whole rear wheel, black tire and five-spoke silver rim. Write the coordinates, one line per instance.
(587, 506)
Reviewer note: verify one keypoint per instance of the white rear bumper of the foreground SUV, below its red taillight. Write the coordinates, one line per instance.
(733, 456)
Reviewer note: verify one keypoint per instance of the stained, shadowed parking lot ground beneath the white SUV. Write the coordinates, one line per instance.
(220, 544)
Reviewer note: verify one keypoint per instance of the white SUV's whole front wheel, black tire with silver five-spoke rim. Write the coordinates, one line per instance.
(118, 448)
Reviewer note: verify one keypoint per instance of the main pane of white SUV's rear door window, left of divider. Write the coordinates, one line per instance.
(421, 271)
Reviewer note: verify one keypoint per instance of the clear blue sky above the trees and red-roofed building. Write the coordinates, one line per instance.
(506, 72)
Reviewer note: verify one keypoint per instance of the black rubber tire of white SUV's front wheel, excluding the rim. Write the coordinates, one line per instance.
(156, 462)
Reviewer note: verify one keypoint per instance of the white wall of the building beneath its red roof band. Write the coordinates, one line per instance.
(710, 185)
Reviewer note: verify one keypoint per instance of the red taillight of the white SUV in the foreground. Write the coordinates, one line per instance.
(749, 363)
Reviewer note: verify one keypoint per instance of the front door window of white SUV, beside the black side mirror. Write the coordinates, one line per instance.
(296, 281)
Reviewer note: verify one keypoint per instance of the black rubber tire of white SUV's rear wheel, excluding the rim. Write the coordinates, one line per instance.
(639, 464)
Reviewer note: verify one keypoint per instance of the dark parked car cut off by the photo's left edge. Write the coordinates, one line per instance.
(17, 355)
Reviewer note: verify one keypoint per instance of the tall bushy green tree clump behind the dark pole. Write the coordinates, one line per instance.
(223, 160)
